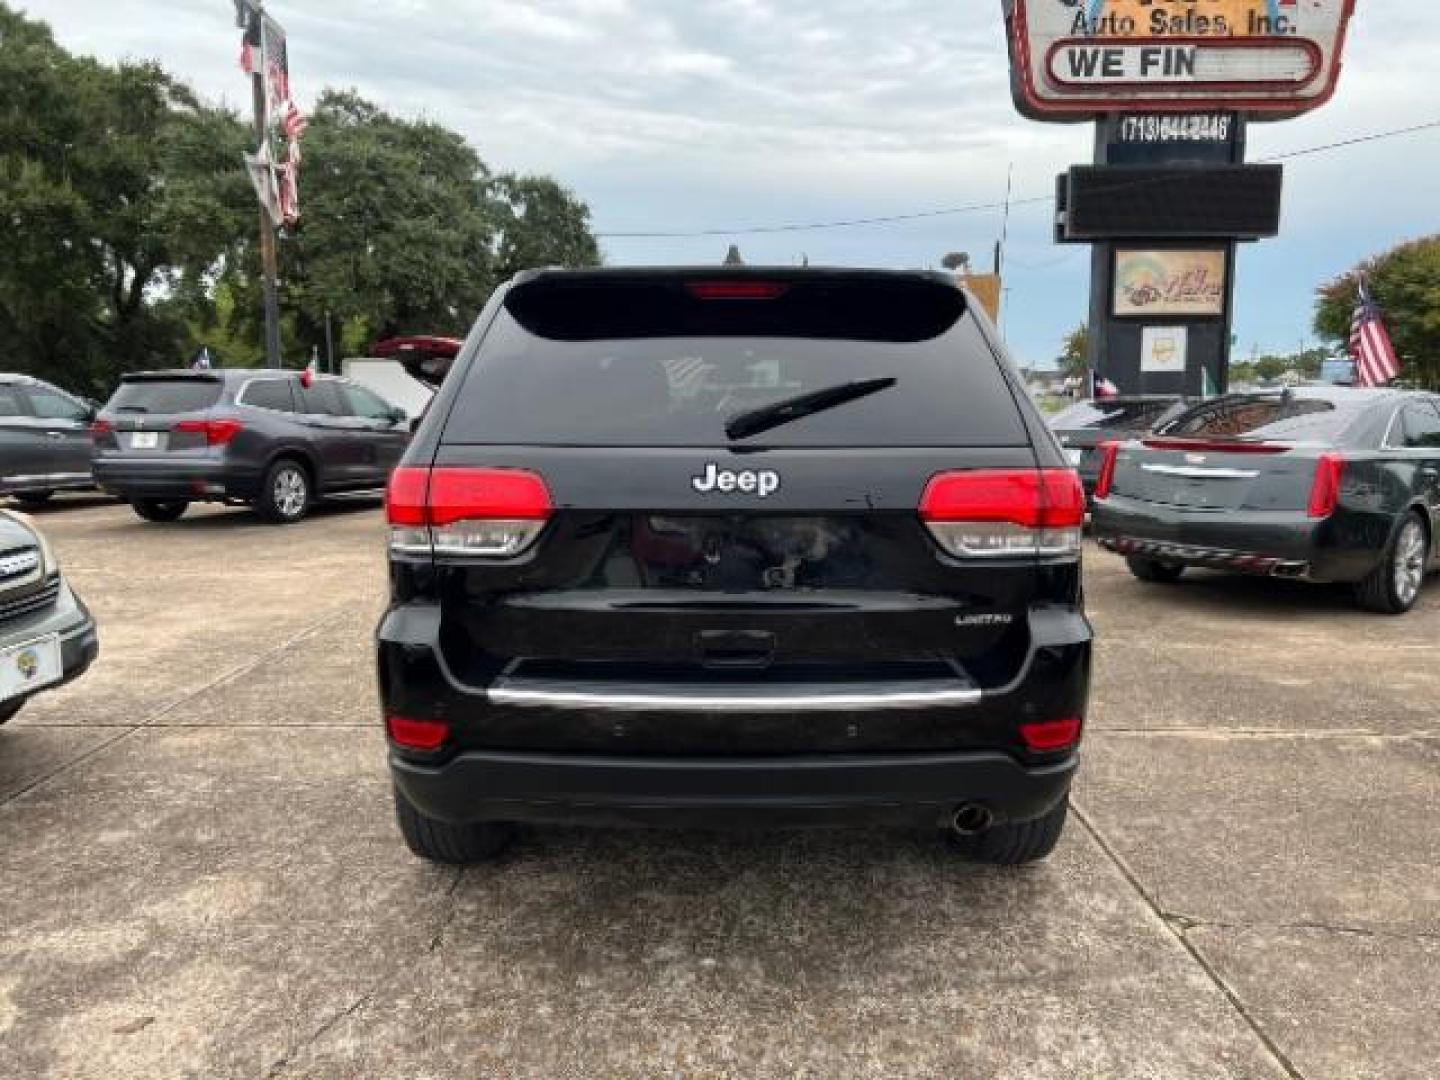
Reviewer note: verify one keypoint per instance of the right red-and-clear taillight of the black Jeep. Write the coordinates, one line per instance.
(1000, 513)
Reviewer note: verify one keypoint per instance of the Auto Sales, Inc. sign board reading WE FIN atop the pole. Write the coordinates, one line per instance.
(1074, 60)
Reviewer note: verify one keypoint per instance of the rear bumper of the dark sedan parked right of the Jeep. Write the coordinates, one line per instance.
(1277, 544)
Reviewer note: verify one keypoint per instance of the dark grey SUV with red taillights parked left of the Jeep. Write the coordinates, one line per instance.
(279, 441)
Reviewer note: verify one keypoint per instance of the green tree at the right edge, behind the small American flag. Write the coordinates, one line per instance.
(1406, 284)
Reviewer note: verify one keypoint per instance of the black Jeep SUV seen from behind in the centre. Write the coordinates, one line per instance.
(734, 546)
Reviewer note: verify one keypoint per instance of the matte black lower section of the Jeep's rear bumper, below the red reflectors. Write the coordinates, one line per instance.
(901, 790)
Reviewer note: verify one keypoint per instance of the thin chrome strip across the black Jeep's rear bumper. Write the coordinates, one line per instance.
(699, 699)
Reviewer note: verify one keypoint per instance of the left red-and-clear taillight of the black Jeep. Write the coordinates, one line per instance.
(466, 512)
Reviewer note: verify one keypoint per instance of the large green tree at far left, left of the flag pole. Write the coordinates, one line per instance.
(114, 185)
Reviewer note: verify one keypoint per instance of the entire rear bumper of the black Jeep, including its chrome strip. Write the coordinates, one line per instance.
(745, 754)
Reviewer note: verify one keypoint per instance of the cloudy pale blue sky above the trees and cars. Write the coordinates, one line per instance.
(685, 116)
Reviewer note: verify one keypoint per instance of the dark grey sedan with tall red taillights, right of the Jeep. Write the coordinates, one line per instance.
(1326, 485)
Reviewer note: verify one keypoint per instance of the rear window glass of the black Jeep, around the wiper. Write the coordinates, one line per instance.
(525, 390)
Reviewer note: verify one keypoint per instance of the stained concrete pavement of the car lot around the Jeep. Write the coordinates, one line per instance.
(199, 875)
